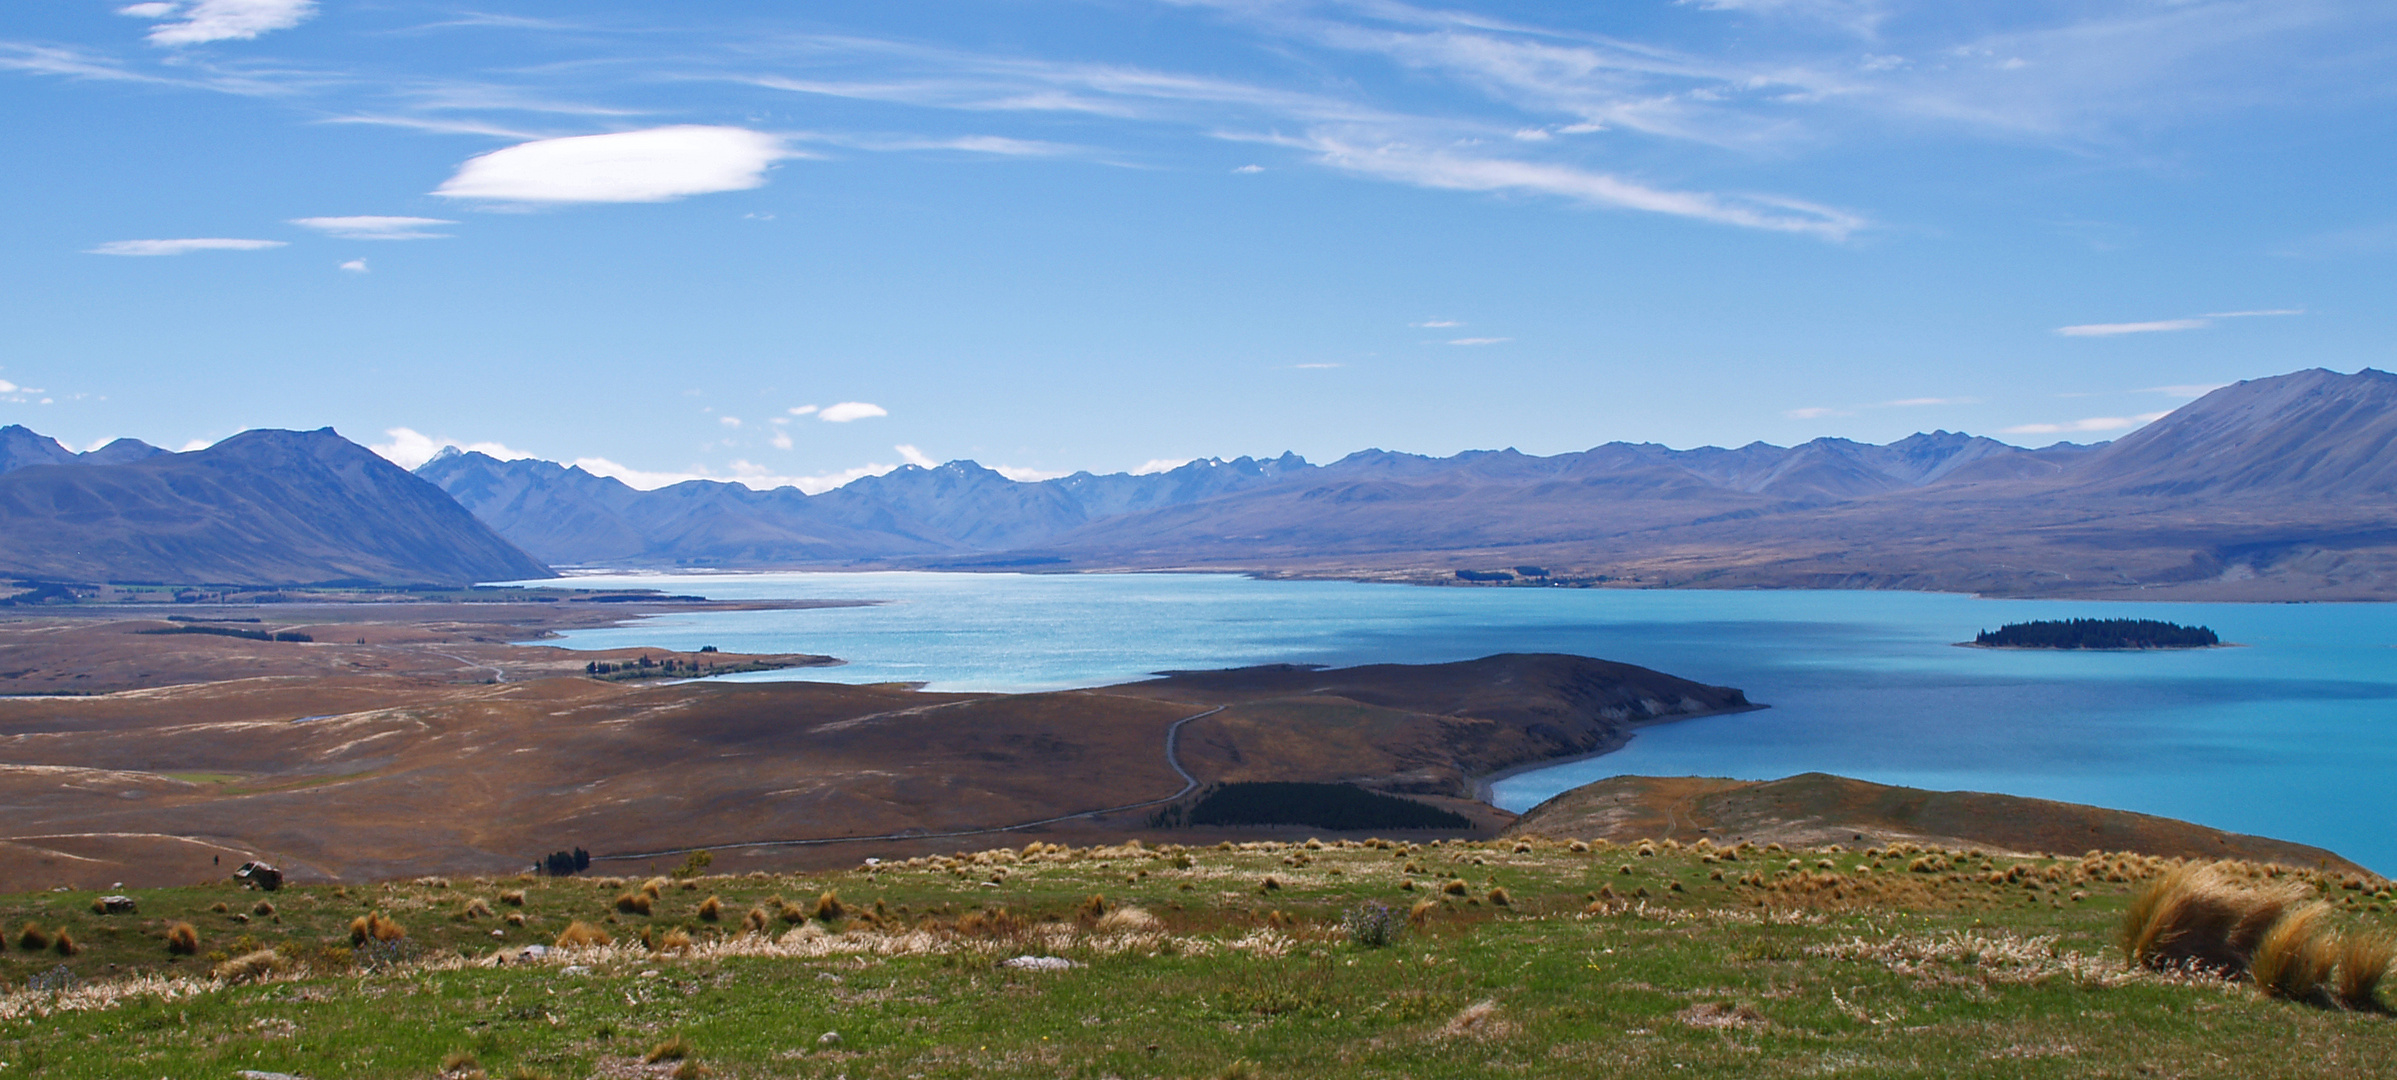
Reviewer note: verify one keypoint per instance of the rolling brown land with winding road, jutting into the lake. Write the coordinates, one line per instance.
(392, 775)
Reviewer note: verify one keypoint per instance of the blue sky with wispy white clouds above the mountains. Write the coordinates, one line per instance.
(797, 243)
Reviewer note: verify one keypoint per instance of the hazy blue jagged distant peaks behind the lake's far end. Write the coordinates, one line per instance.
(962, 509)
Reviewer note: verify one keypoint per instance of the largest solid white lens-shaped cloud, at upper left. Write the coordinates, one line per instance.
(651, 166)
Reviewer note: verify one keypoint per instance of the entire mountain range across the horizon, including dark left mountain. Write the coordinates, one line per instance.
(2266, 490)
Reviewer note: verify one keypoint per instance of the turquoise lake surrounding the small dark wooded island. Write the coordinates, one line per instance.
(2293, 734)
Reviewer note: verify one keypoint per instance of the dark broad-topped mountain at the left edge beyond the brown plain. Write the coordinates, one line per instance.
(258, 509)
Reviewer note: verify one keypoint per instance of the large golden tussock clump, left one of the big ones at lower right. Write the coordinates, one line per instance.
(2199, 918)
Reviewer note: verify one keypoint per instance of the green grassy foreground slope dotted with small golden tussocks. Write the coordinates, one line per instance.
(1538, 961)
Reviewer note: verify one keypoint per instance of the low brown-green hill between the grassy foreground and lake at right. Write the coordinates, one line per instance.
(1818, 811)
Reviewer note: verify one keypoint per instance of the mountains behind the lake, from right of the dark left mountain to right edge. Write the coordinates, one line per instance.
(2269, 490)
